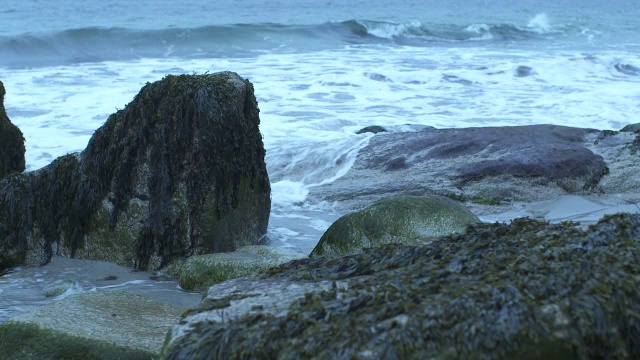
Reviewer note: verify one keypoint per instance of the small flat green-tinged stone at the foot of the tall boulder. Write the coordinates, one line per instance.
(201, 271)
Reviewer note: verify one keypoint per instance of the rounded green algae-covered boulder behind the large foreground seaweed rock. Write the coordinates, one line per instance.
(405, 219)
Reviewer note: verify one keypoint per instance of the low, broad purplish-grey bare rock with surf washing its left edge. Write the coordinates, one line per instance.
(521, 163)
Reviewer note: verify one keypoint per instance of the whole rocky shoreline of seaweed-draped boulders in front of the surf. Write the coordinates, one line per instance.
(176, 182)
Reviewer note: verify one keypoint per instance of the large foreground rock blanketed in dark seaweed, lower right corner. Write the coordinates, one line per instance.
(525, 290)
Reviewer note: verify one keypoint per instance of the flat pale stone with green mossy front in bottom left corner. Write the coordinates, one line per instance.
(94, 325)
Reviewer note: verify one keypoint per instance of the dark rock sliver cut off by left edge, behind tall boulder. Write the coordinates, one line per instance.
(11, 143)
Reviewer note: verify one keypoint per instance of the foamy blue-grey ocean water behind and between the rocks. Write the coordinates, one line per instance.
(322, 70)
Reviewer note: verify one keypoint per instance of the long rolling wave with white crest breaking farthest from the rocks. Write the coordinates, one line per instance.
(117, 44)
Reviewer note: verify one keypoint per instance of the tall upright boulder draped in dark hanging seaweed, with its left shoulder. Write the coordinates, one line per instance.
(179, 171)
